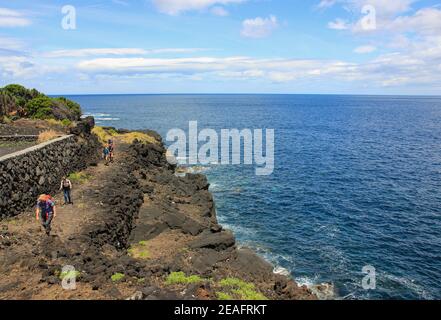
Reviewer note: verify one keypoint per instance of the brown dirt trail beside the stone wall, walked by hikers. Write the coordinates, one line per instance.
(22, 237)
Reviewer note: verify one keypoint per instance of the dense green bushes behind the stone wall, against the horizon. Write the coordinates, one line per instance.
(29, 103)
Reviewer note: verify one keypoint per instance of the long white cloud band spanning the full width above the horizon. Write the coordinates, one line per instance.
(417, 66)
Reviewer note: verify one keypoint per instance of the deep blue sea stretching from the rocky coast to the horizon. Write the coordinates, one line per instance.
(357, 182)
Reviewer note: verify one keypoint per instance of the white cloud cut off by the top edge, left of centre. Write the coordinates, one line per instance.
(174, 7)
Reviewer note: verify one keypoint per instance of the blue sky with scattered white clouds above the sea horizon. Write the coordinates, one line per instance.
(222, 46)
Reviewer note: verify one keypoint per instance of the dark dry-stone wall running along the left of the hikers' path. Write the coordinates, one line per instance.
(28, 173)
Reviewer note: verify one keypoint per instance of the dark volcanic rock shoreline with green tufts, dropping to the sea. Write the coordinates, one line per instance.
(149, 234)
